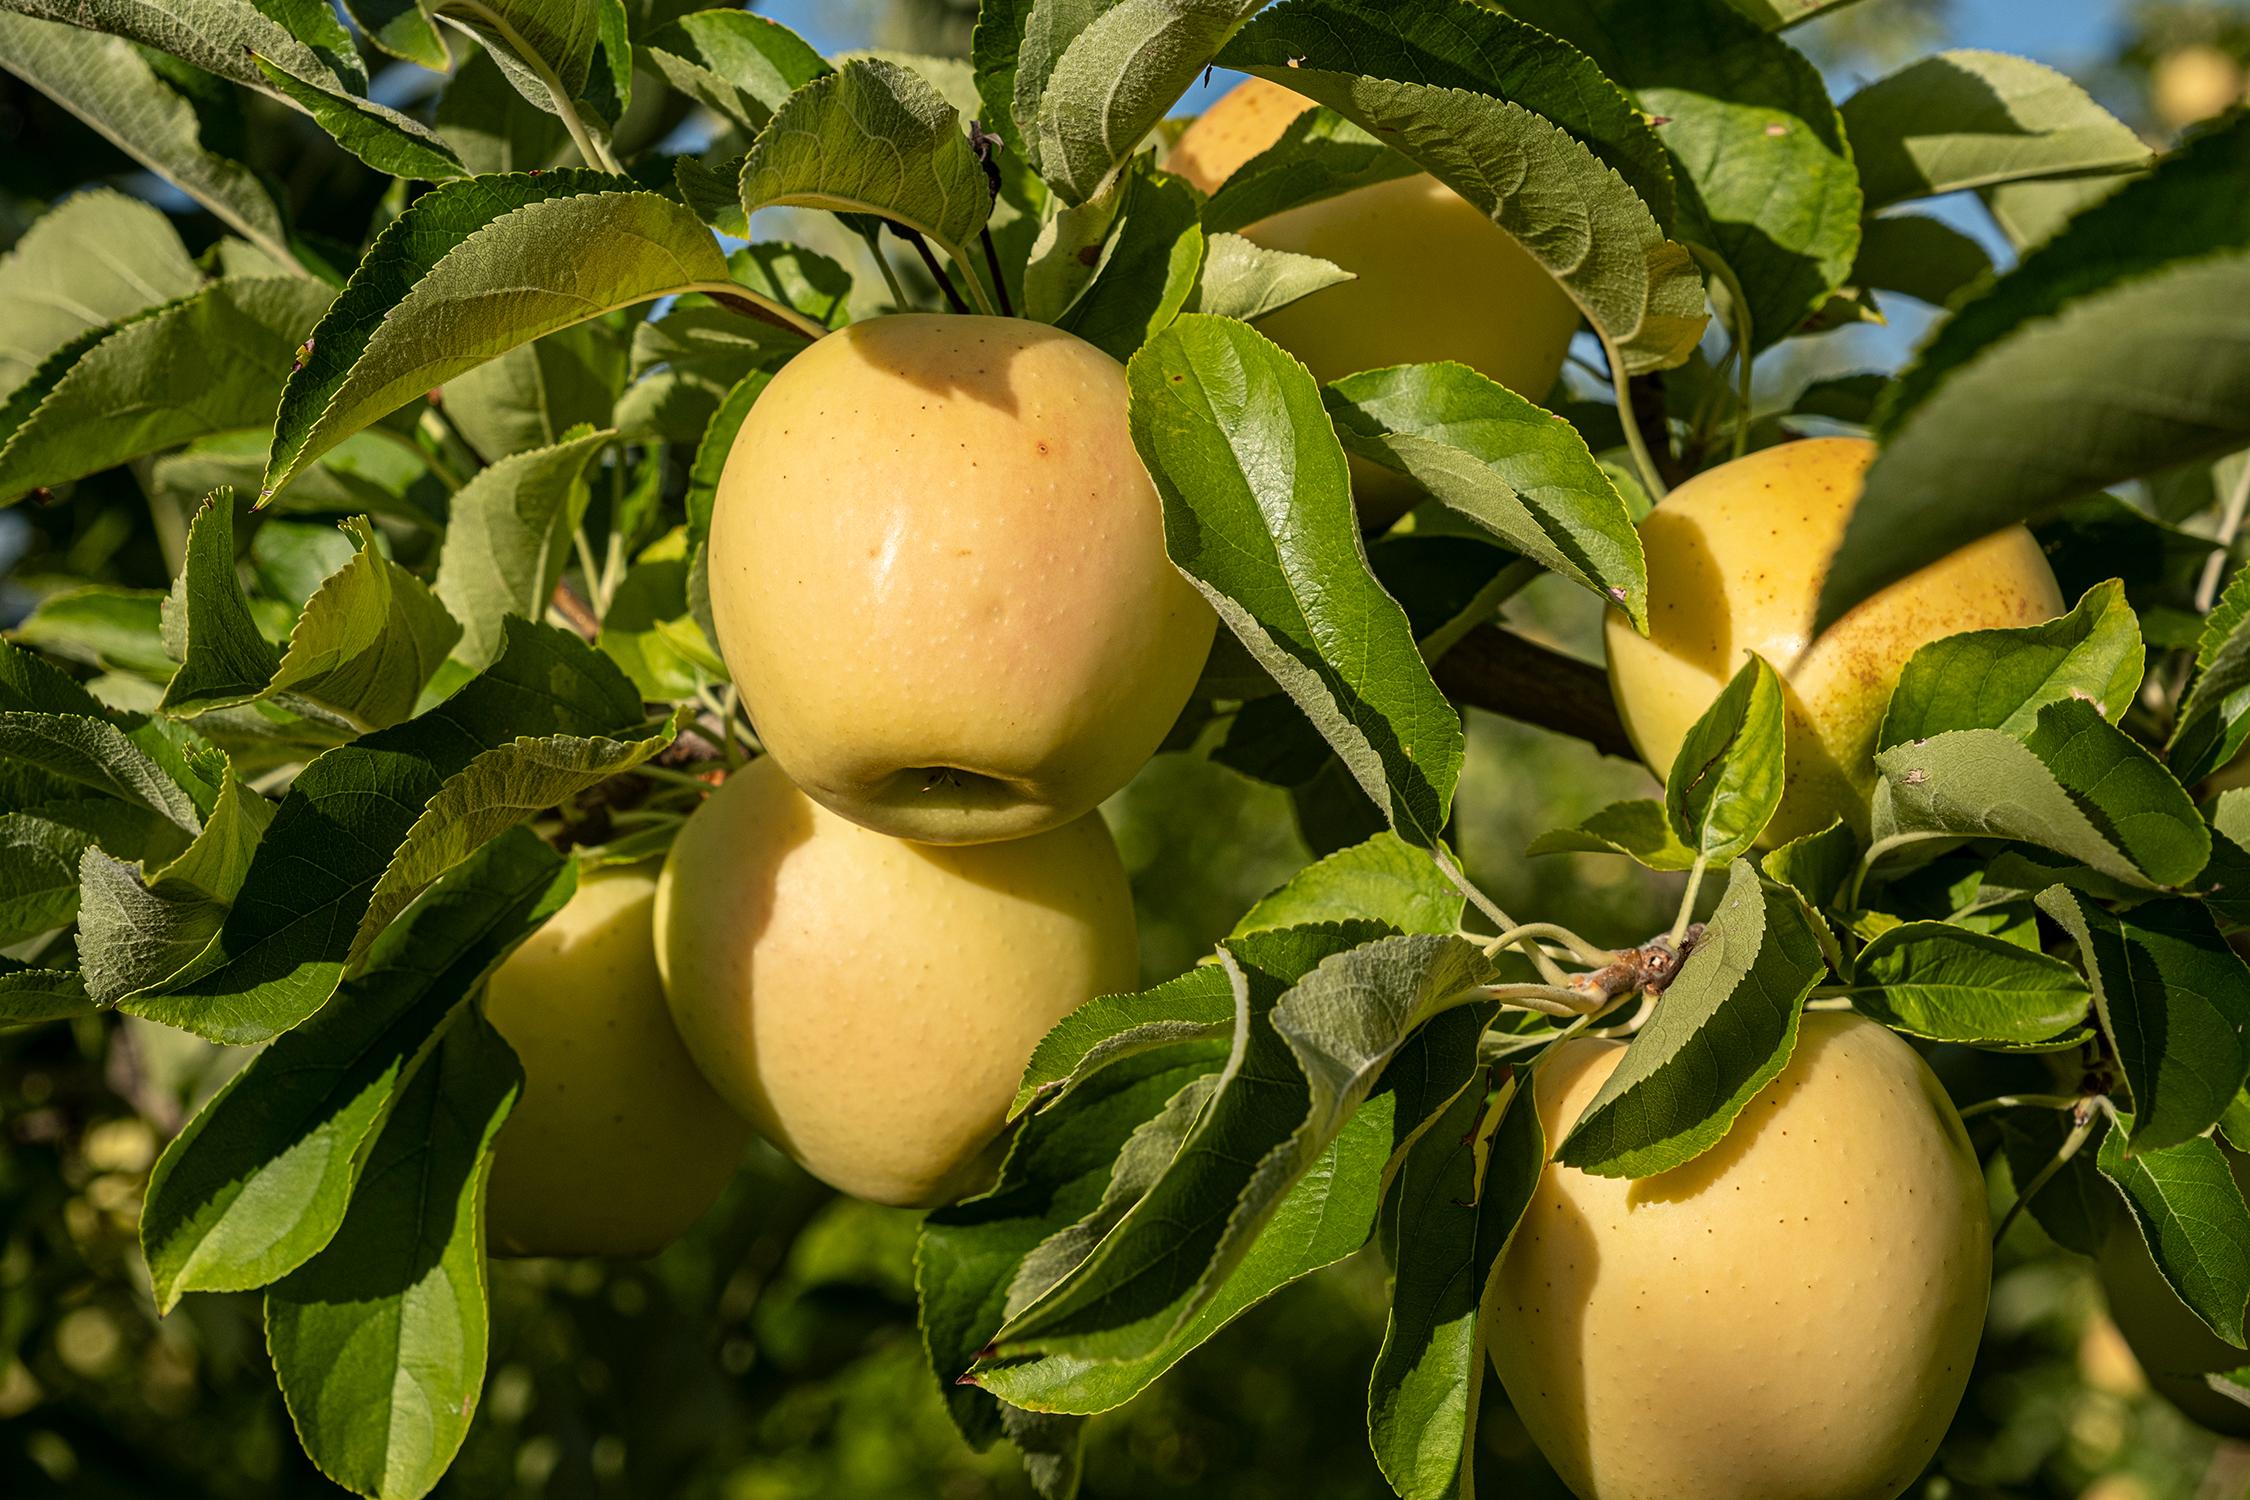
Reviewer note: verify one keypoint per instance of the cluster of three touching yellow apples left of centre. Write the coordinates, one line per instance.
(939, 581)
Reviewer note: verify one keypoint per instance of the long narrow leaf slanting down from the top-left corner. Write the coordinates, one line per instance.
(114, 89)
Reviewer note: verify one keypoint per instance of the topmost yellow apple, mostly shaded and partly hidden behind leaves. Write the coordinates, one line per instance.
(1437, 280)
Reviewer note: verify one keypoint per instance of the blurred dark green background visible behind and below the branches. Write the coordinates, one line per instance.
(773, 1355)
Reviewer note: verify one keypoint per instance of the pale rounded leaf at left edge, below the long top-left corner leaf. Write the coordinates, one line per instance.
(91, 262)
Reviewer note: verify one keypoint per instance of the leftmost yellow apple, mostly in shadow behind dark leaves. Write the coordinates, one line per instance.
(618, 1146)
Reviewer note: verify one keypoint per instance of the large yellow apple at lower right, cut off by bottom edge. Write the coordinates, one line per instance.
(1790, 1317)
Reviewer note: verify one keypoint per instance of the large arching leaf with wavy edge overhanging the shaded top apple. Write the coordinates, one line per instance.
(1486, 105)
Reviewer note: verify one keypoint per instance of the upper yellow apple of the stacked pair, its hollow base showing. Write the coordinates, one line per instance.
(939, 579)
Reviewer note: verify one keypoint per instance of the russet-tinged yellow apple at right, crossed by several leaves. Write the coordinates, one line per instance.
(1736, 566)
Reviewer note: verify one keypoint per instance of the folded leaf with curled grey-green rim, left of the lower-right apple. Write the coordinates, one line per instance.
(1338, 1027)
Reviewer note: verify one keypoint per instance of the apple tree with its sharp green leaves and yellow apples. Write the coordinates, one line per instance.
(836, 476)
